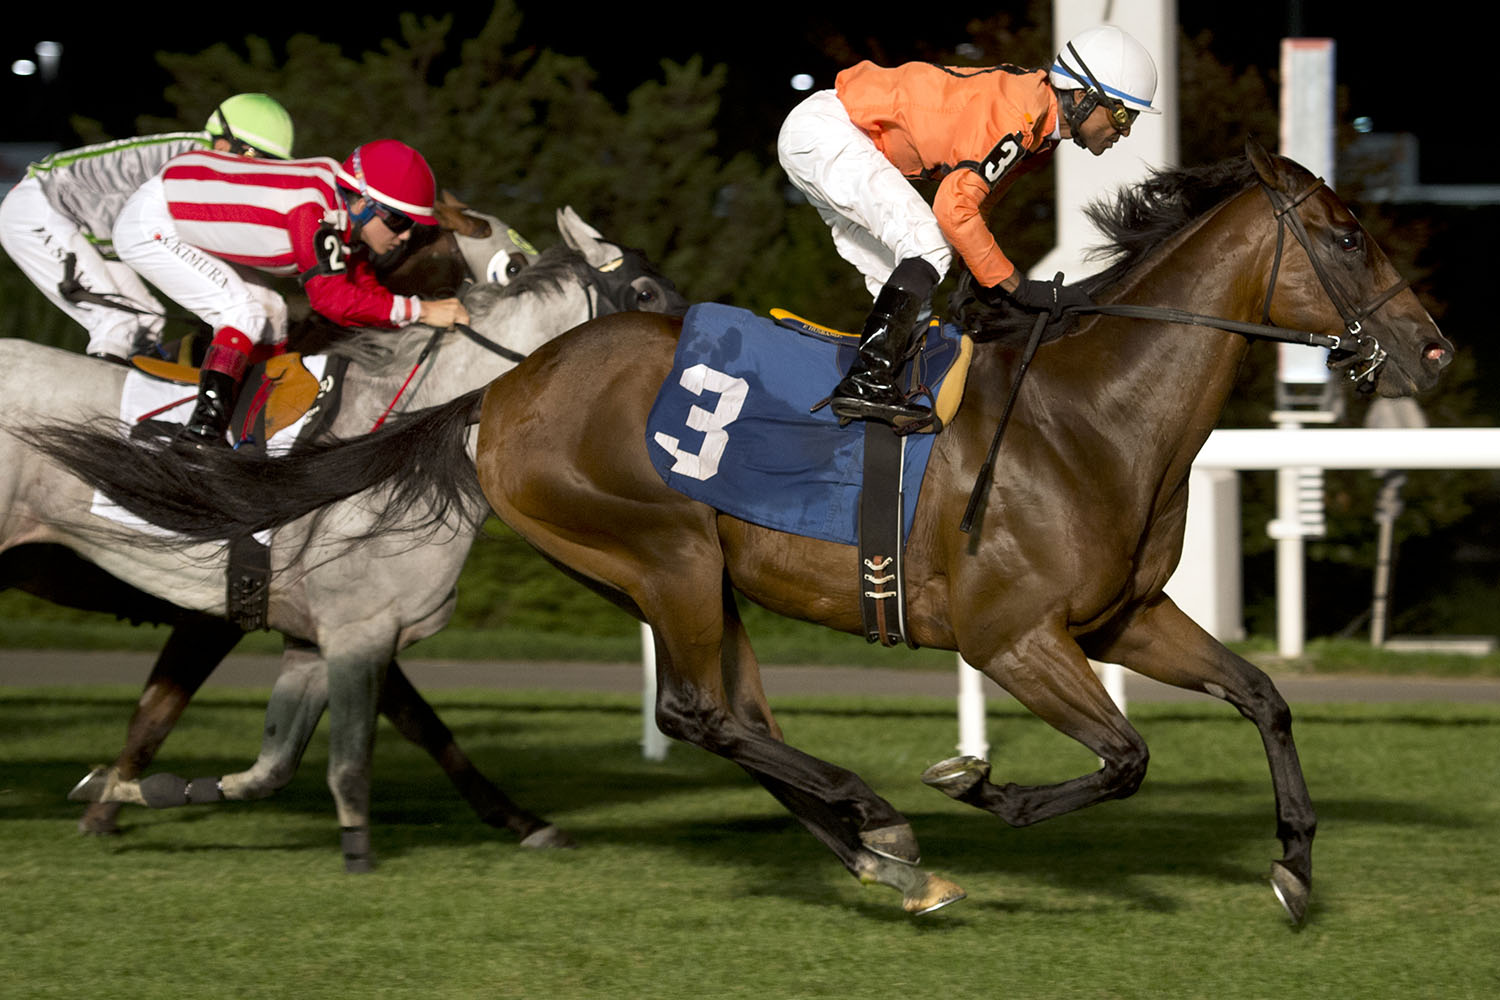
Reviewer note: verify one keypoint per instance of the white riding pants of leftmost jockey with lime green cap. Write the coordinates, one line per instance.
(38, 238)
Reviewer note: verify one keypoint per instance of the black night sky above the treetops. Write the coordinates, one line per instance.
(109, 73)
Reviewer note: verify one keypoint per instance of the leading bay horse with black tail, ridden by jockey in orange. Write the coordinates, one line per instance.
(1082, 524)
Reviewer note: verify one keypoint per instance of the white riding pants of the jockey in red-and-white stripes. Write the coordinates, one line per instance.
(212, 289)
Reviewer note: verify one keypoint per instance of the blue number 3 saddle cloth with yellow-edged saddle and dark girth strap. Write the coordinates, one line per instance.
(733, 428)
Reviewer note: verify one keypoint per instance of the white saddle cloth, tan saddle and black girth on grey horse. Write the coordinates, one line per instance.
(281, 400)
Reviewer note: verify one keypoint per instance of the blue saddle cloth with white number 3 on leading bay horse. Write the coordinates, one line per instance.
(731, 425)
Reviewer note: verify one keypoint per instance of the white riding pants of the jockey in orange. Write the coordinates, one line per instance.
(877, 217)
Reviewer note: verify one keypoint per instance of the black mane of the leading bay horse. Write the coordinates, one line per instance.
(1135, 223)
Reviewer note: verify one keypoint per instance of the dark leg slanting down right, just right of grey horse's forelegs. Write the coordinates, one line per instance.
(415, 719)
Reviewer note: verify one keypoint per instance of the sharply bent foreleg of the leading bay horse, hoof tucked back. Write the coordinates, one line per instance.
(1049, 675)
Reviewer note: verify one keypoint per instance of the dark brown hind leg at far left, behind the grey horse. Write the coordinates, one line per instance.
(193, 651)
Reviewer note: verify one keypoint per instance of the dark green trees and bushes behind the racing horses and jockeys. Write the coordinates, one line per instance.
(662, 164)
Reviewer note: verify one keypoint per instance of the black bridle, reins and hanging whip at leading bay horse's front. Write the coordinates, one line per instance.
(1363, 352)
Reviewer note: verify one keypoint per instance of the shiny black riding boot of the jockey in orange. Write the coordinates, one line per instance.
(869, 391)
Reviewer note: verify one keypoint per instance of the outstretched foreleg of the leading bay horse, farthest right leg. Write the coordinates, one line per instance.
(1163, 644)
